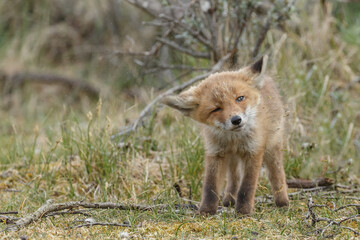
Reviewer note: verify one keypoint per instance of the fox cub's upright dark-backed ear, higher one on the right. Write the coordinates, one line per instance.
(256, 71)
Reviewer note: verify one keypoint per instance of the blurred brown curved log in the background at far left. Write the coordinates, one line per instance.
(18, 79)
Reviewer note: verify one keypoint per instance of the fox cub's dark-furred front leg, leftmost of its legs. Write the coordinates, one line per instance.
(215, 169)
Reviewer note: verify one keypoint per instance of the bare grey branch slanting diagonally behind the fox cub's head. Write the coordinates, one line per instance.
(151, 106)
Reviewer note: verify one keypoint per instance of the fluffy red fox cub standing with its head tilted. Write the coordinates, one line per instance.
(242, 116)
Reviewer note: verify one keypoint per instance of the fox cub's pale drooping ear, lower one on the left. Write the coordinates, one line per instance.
(184, 102)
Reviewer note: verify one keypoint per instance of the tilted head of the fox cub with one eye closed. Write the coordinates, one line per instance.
(225, 100)
